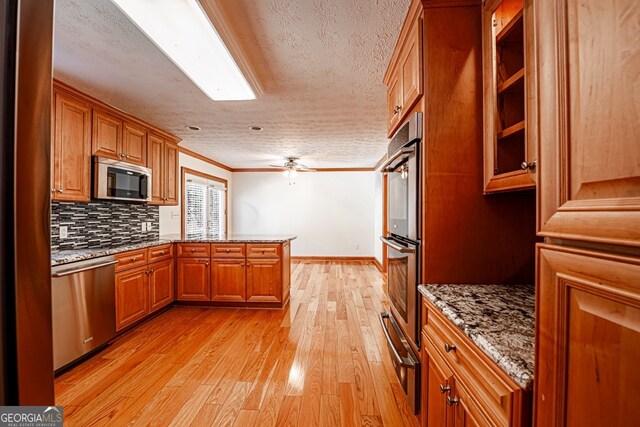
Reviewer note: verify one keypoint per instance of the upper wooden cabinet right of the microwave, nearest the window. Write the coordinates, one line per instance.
(162, 159)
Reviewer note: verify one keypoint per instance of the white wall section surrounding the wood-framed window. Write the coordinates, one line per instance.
(170, 215)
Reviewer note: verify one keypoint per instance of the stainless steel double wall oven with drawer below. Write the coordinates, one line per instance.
(400, 323)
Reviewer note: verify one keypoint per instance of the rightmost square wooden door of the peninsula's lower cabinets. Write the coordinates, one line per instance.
(264, 280)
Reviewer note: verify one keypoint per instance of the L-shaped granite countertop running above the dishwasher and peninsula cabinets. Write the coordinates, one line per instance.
(64, 257)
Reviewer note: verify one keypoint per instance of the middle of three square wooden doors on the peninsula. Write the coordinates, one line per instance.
(228, 281)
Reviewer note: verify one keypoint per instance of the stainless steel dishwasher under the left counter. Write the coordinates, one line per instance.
(83, 307)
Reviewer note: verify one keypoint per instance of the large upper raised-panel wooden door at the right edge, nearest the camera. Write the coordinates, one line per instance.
(589, 120)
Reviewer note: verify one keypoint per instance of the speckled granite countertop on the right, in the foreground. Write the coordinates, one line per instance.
(499, 319)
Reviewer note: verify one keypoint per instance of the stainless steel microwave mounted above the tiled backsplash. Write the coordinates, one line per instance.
(115, 180)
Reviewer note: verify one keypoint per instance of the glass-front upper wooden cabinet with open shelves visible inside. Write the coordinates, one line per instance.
(510, 158)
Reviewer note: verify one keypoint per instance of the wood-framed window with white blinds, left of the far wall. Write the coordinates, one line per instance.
(204, 209)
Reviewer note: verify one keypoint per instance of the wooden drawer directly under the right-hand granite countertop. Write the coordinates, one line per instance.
(492, 388)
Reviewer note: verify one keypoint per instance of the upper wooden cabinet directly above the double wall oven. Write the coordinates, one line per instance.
(404, 75)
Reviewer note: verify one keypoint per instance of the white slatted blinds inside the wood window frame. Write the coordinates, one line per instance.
(205, 208)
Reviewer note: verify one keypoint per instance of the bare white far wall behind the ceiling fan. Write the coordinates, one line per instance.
(330, 212)
